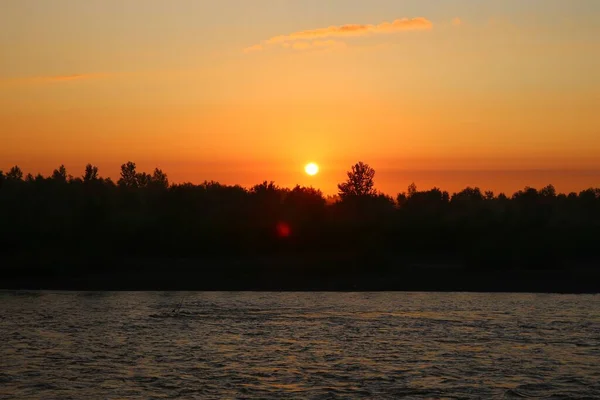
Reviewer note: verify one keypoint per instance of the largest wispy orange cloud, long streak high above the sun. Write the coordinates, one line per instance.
(349, 30)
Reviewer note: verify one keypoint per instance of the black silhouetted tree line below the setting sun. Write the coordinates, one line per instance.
(144, 215)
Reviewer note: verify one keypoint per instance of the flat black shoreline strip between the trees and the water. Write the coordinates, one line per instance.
(281, 274)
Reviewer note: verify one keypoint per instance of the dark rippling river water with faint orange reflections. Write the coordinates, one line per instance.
(298, 345)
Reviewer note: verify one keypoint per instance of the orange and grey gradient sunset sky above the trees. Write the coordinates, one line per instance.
(499, 94)
